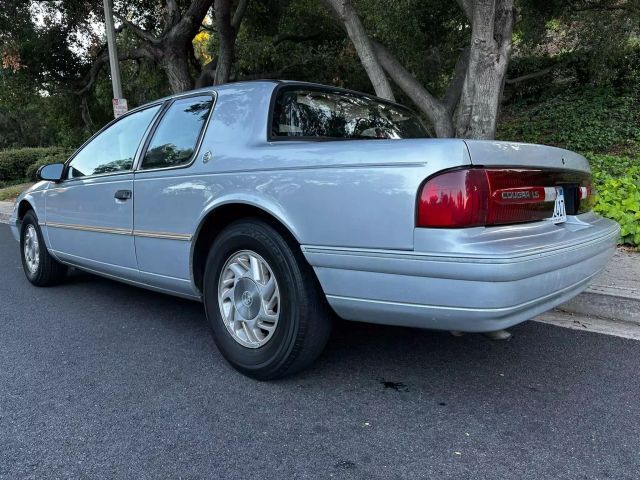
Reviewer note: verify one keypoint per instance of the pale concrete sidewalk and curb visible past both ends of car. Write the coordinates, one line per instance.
(615, 294)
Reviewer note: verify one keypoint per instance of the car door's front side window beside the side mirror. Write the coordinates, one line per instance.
(114, 149)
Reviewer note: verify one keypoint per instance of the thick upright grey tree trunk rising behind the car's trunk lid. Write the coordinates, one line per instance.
(491, 40)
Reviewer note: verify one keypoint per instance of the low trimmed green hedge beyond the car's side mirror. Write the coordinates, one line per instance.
(22, 163)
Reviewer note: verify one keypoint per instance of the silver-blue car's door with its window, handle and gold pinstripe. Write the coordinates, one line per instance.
(89, 215)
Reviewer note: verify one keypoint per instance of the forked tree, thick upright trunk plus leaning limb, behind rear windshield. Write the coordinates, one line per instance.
(469, 107)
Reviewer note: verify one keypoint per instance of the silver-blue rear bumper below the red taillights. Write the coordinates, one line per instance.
(486, 280)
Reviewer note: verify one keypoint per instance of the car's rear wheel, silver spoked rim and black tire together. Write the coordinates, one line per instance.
(269, 316)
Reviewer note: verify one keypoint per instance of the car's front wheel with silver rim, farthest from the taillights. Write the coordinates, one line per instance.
(39, 266)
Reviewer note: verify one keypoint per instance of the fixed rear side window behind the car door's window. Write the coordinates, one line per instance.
(175, 140)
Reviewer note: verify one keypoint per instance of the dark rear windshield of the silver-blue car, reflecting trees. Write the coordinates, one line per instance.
(306, 113)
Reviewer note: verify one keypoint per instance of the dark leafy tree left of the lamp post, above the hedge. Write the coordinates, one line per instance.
(38, 68)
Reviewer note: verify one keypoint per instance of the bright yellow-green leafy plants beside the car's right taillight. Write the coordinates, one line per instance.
(619, 199)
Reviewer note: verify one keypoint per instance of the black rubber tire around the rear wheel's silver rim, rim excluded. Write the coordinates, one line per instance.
(304, 322)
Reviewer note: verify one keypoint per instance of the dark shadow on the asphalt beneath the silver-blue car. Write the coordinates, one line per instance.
(396, 360)
